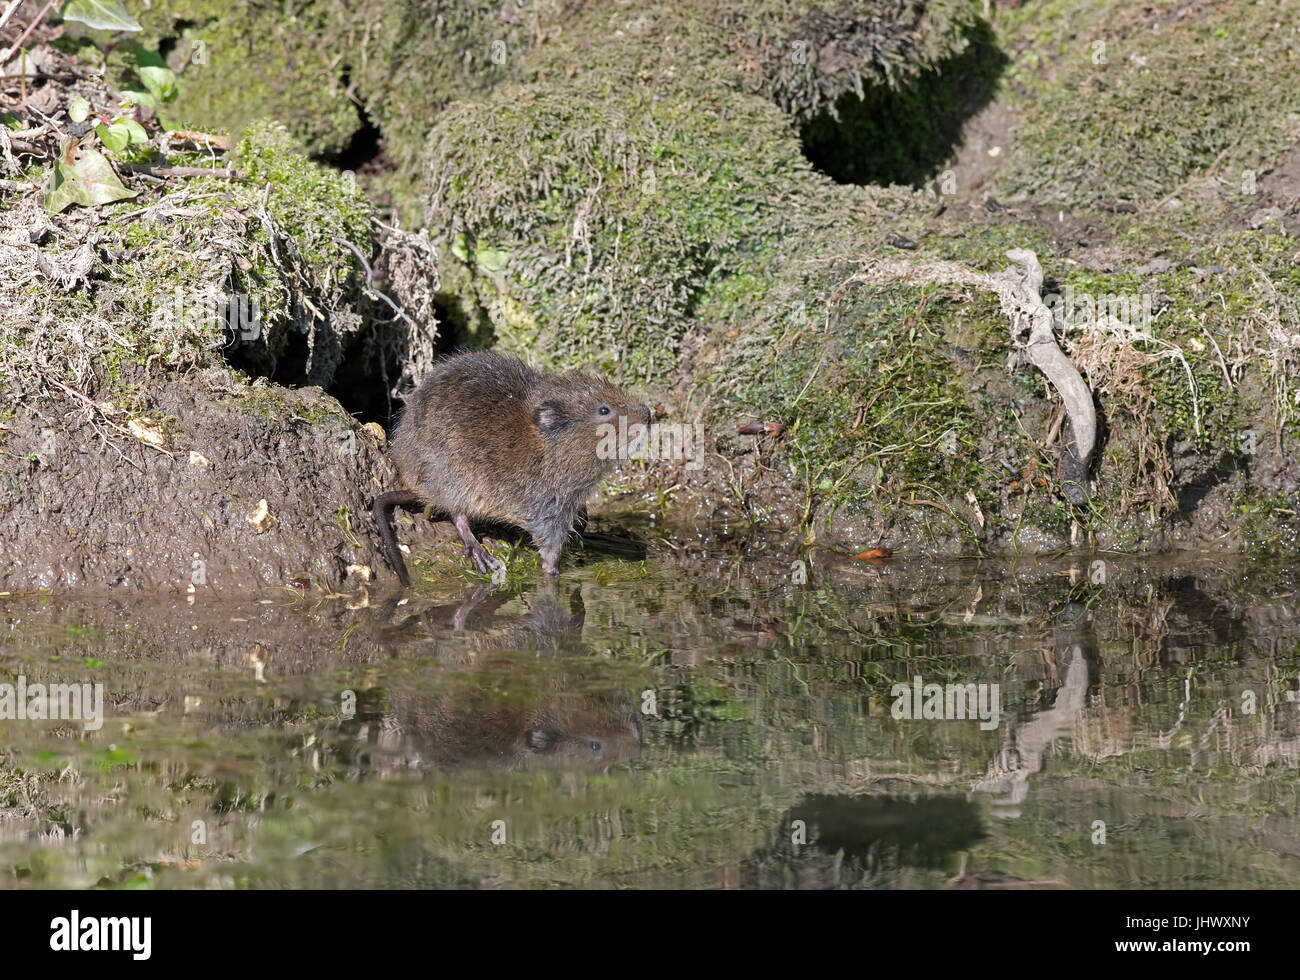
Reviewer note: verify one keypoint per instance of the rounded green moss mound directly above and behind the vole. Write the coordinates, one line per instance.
(593, 223)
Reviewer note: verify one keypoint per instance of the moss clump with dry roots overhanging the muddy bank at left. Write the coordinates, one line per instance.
(272, 244)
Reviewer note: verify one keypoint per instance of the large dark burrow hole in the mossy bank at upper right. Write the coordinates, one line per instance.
(907, 136)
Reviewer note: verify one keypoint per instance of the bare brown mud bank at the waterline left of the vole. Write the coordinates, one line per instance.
(83, 506)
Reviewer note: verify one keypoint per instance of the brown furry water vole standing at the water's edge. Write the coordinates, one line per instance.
(487, 437)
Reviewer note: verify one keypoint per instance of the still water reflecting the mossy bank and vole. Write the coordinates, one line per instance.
(695, 721)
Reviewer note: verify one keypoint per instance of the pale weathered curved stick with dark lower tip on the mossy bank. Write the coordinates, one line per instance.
(1032, 329)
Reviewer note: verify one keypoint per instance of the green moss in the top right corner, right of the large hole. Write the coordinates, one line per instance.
(1125, 105)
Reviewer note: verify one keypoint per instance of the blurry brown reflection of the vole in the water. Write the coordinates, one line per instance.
(531, 710)
